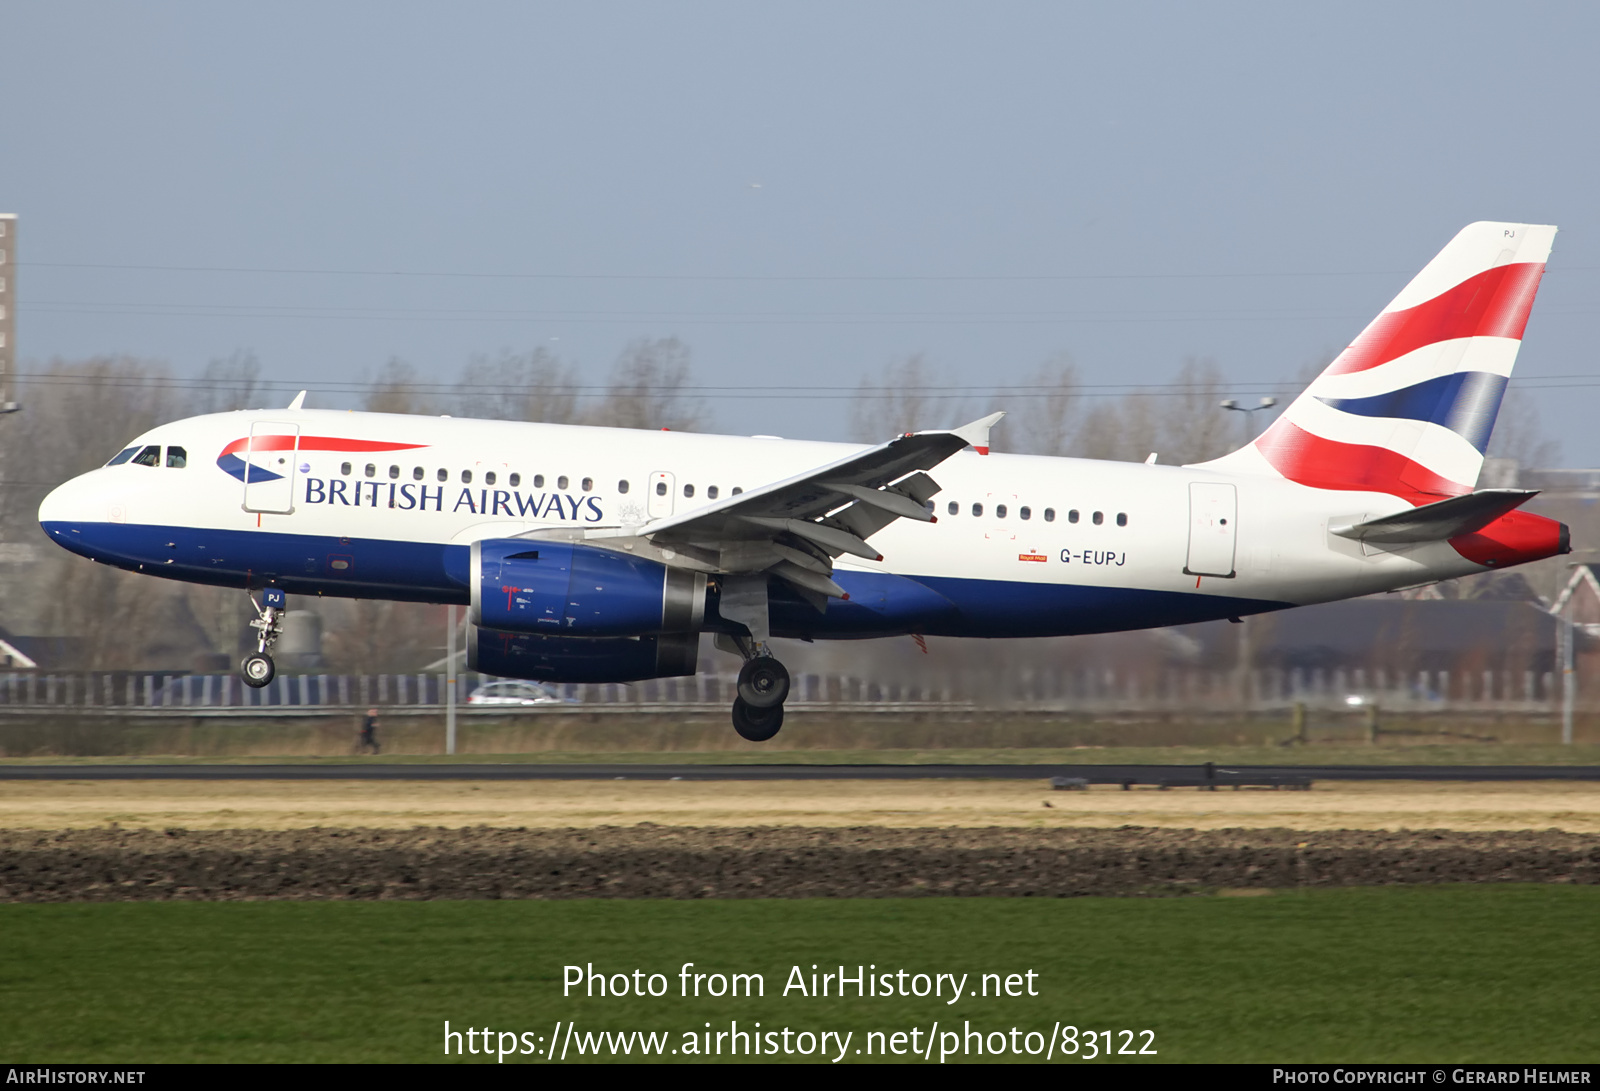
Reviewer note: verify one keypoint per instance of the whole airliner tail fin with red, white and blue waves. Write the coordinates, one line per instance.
(1407, 409)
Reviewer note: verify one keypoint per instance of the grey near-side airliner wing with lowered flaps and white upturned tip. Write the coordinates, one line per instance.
(796, 529)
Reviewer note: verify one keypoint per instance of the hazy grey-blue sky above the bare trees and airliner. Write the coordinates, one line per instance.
(804, 193)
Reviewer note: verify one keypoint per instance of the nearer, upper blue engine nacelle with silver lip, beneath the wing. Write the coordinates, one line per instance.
(538, 586)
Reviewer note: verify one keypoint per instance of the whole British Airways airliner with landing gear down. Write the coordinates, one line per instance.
(596, 554)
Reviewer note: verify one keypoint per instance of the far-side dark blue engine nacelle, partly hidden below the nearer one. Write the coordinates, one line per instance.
(513, 655)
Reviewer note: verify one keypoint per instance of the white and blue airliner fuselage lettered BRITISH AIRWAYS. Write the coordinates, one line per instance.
(372, 505)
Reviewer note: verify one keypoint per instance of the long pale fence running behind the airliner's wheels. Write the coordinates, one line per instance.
(1078, 690)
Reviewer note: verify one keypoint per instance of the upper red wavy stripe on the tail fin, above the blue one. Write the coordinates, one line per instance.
(1492, 305)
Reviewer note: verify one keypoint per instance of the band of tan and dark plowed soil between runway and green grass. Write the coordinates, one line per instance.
(434, 841)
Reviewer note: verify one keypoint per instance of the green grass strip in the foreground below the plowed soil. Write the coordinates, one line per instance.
(1425, 975)
